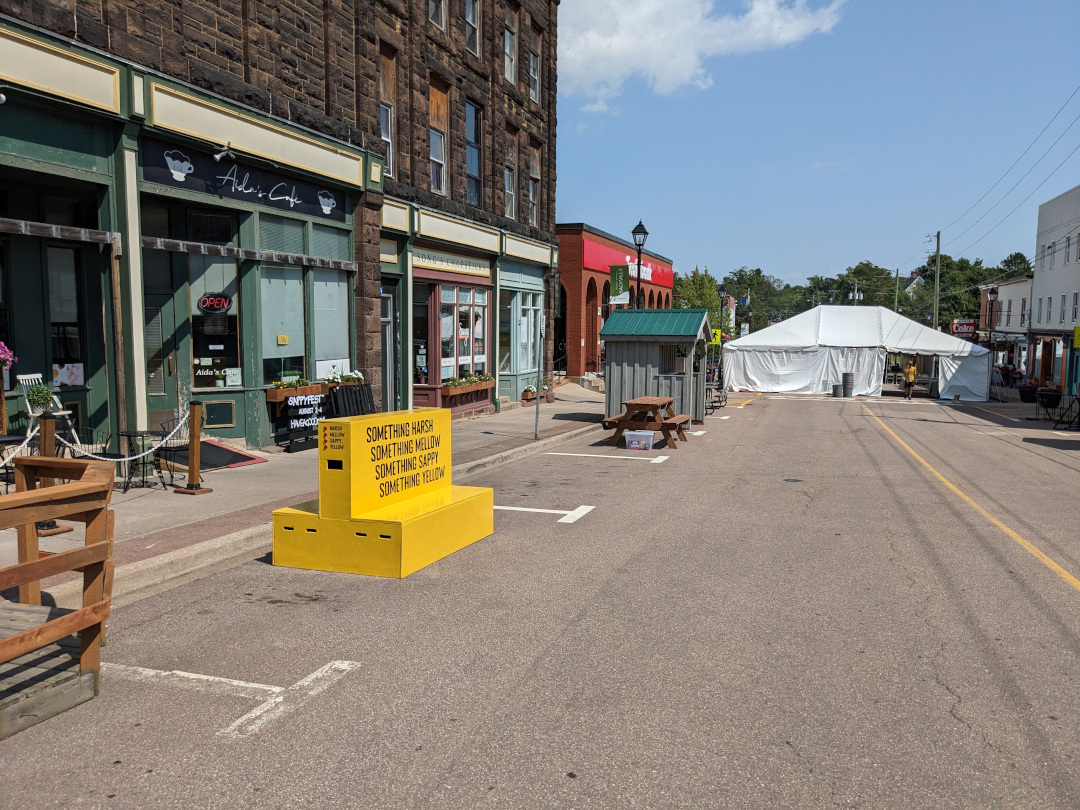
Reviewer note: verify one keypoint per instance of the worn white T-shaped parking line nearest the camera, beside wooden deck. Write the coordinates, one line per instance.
(277, 700)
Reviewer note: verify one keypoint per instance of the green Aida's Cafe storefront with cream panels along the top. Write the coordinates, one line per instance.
(159, 245)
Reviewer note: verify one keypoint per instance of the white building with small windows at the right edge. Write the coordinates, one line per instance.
(1056, 291)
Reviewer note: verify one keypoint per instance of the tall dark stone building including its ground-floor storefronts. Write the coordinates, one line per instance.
(223, 181)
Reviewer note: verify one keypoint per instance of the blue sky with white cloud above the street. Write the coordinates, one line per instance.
(805, 137)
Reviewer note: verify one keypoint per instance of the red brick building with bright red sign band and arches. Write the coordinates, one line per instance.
(586, 256)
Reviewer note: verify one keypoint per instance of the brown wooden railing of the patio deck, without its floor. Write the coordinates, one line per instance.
(86, 499)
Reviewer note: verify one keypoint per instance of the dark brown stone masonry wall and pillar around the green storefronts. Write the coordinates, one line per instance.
(315, 63)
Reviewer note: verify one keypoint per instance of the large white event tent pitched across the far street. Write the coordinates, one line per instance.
(809, 354)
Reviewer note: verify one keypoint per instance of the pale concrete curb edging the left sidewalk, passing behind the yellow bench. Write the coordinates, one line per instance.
(154, 575)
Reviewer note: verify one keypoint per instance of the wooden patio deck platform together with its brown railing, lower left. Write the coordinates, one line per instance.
(45, 668)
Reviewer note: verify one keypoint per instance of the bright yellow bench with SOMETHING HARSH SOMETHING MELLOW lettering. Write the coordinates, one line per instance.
(387, 505)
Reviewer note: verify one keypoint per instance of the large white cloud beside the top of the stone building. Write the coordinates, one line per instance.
(602, 44)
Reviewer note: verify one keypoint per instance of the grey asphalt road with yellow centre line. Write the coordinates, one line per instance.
(793, 611)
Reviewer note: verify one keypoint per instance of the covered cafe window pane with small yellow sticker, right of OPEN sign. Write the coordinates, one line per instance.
(281, 319)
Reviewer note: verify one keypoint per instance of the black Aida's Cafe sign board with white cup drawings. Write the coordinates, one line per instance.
(192, 170)
